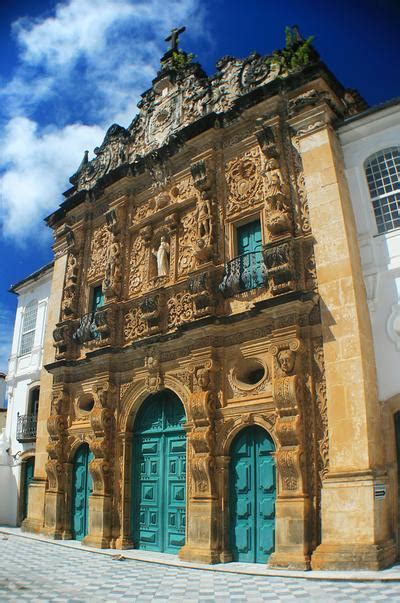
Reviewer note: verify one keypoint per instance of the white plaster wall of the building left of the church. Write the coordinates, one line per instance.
(23, 374)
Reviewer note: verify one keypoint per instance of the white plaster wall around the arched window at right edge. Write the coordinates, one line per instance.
(380, 253)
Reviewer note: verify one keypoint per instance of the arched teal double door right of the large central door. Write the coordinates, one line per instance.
(252, 496)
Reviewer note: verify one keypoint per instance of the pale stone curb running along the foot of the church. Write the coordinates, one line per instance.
(130, 555)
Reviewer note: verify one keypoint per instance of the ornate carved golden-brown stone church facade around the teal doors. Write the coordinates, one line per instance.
(154, 220)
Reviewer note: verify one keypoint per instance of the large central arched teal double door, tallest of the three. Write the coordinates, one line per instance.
(159, 474)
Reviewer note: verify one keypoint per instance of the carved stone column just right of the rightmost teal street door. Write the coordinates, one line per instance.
(292, 546)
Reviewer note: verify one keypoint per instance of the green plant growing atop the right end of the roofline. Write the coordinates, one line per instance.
(296, 54)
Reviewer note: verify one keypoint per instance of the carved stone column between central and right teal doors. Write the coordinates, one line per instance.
(202, 542)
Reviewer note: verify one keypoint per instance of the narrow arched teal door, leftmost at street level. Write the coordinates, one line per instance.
(82, 487)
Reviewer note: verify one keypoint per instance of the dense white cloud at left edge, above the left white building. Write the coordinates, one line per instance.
(36, 167)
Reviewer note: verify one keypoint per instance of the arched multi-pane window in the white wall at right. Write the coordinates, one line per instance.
(383, 176)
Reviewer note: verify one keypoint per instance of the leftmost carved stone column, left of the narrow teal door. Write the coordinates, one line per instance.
(57, 423)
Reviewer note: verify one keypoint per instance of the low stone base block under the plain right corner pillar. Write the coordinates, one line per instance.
(354, 556)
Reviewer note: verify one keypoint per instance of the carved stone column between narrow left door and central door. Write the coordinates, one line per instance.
(101, 467)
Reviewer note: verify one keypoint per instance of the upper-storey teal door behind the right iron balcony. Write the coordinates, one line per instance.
(249, 243)
